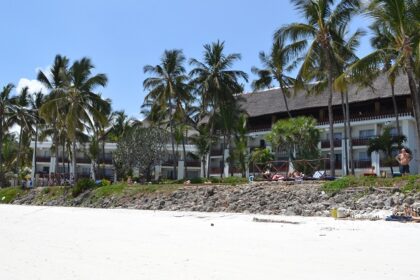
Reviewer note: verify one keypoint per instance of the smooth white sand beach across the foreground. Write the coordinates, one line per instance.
(77, 243)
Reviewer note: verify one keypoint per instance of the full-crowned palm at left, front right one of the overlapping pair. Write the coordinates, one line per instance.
(79, 102)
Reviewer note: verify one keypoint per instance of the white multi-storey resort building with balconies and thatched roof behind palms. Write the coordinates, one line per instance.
(371, 110)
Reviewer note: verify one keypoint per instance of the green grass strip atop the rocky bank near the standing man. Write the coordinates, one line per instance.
(406, 184)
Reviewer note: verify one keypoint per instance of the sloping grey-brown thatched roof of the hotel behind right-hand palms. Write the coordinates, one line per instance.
(271, 101)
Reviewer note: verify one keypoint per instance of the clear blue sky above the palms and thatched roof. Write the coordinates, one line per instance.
(122, 36)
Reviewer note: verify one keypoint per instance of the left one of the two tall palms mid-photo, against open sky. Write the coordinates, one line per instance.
(167, 89)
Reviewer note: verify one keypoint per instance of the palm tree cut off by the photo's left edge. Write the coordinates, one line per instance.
(6, 105)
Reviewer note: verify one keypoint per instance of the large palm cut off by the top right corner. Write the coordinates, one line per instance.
(397, 47)
